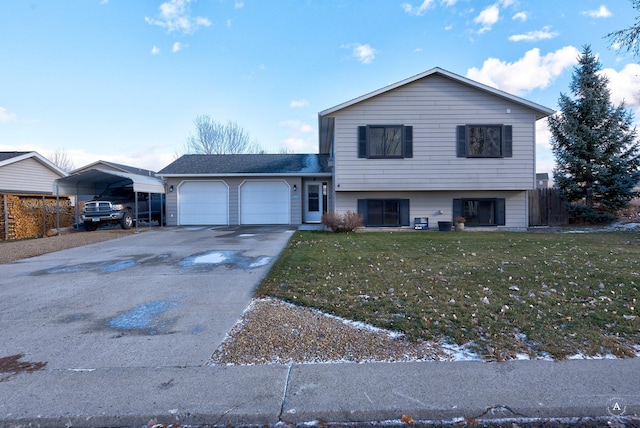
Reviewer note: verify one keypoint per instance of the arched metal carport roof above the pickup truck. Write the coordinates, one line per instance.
(85, 183)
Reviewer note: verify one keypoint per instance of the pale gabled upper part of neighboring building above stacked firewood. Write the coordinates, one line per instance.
(28, 172)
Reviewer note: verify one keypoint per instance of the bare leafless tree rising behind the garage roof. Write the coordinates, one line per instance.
(214, 138)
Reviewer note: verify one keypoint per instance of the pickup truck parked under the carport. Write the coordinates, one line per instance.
(117, 205)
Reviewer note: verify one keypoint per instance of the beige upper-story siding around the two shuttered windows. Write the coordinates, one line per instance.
(434, 106)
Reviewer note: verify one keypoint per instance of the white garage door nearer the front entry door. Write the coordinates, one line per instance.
(264, 202)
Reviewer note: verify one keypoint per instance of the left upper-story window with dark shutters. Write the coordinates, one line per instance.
(385, 141)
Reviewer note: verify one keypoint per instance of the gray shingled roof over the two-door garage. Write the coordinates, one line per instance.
(248, 164)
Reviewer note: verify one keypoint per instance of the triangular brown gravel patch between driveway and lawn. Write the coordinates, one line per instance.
(272, 331)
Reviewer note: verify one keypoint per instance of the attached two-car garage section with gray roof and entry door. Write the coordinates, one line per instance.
(247, 189)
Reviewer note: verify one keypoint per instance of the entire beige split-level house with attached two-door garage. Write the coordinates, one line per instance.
(435, 145)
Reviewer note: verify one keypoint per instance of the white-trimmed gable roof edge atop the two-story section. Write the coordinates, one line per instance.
(539, 110)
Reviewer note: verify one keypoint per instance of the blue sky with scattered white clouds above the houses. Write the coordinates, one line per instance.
(122, 80)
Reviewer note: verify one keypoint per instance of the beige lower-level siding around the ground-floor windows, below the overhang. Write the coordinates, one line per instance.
(429, 204)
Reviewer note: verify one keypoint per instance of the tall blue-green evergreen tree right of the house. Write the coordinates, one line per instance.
(594, 143)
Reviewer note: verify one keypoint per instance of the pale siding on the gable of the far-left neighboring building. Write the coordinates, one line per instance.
(27, 176)
